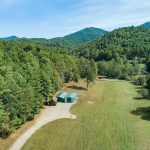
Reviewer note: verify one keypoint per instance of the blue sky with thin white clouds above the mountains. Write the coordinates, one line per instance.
(57, 18)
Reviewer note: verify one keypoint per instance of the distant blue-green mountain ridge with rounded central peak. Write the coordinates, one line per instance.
(68, 42)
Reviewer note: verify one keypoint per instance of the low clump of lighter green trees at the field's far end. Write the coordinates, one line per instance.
(118, 68)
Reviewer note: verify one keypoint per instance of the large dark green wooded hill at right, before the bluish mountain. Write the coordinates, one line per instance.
(128, 41)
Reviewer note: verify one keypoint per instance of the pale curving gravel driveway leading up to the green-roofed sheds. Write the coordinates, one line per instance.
(61, 110)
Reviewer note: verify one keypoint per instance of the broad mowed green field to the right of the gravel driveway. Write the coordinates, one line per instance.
(107, 124)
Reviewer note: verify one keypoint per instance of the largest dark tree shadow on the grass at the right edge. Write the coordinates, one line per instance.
(144, 112)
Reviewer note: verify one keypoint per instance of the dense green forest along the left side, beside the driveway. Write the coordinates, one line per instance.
(31, 74)
